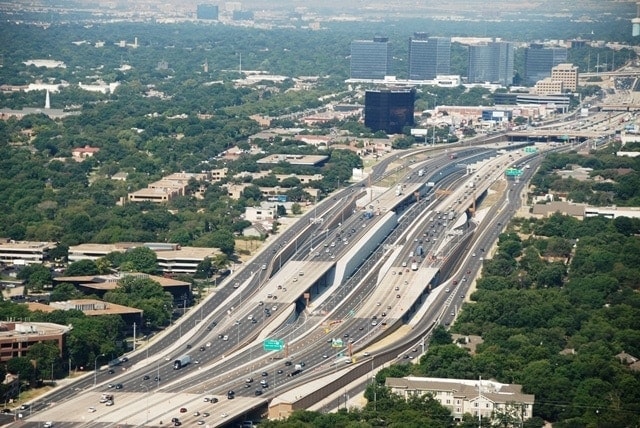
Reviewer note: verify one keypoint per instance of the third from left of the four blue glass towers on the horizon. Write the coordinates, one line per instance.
(491, 62)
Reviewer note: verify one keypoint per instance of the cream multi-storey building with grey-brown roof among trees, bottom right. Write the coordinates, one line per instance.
(480, 398)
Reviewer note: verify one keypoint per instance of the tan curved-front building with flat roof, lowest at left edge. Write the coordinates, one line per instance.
(17, 337)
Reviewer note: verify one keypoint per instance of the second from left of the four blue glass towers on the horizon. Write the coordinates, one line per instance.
(429, 56)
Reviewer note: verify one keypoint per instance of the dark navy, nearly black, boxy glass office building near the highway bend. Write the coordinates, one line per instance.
(389, 110)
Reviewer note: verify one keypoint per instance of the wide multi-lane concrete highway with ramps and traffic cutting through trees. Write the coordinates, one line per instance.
(224, 335)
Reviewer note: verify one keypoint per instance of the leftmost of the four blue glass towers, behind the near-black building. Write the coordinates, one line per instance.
(371, 59)
